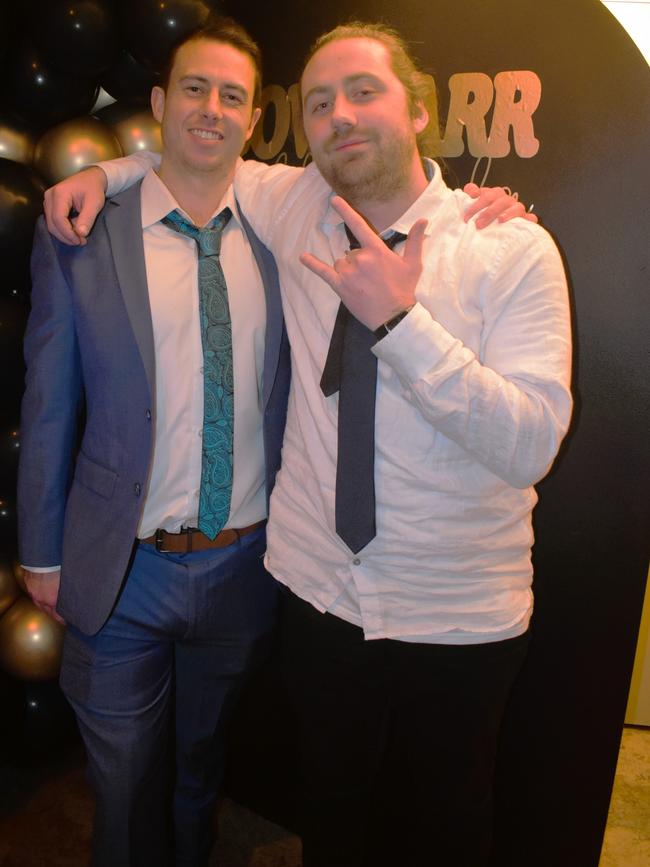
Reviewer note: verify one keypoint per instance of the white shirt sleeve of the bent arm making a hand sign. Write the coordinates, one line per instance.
(510, 404)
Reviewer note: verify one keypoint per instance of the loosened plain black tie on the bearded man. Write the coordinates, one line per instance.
(351, 369)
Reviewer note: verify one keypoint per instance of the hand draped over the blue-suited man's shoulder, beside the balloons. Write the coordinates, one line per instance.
(84, 193)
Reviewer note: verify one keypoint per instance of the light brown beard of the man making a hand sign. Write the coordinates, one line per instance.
(377, 175)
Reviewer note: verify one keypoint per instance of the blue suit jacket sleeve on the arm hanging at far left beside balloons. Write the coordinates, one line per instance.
(50, 408)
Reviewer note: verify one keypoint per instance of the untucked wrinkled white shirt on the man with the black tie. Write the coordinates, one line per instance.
(472, 403)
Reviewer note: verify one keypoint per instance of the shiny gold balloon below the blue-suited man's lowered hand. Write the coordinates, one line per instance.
(30, 642)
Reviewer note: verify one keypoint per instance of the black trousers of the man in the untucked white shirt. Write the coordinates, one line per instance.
(398, 742)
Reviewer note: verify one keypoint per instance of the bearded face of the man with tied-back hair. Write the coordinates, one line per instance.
(361, 133)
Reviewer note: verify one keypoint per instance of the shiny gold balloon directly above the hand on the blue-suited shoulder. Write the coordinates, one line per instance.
(73, 145)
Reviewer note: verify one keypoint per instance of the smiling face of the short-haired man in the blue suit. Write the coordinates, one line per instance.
(206, 112)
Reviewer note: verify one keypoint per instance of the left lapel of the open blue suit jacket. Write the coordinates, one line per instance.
(124, 227)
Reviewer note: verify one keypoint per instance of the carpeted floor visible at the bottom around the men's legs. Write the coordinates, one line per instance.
(51, 827)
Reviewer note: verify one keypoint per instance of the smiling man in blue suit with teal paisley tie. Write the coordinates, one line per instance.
(151, 431)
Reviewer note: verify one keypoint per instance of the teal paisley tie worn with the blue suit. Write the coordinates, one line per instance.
(218, 391)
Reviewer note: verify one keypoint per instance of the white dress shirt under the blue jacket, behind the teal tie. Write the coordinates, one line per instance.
(171, 261)
